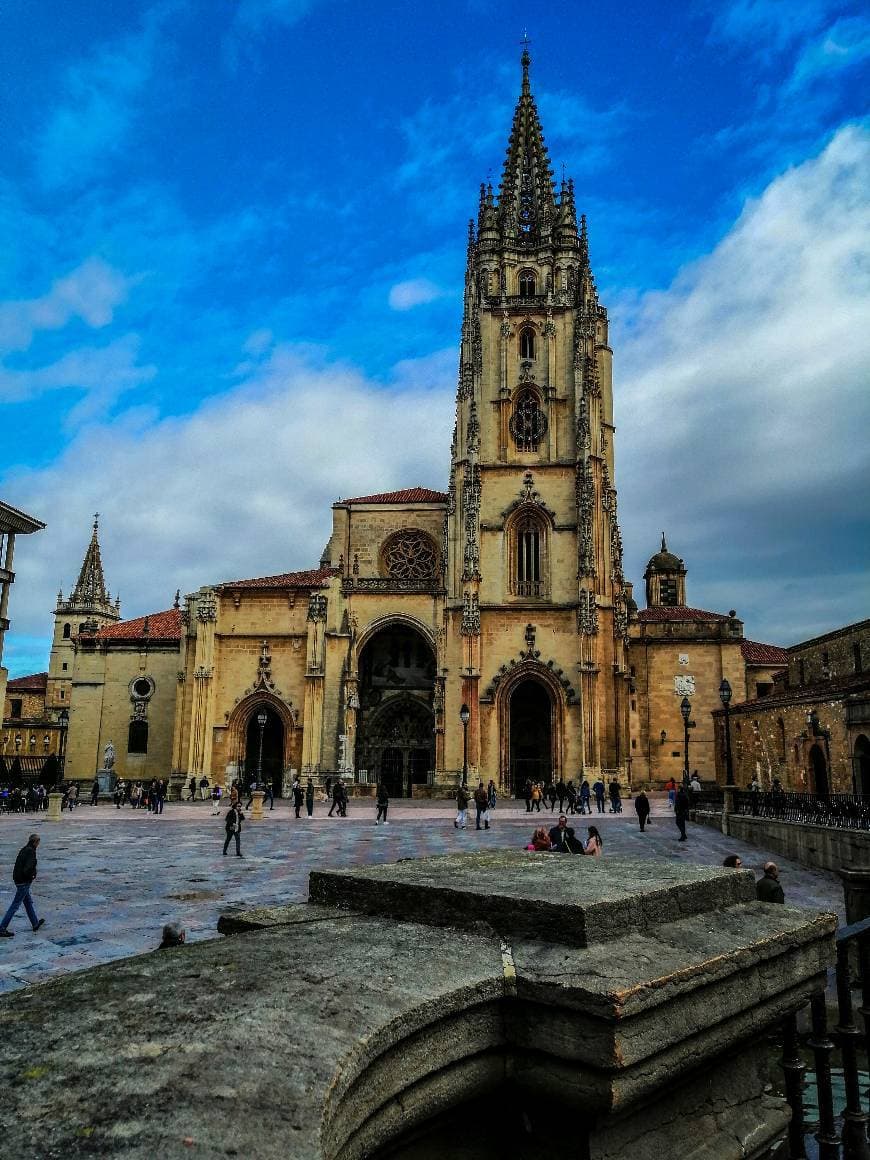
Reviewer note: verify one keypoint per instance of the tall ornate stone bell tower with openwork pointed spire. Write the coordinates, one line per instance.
(534, 581)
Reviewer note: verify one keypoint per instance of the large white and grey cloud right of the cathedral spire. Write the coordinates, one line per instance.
(744, 396)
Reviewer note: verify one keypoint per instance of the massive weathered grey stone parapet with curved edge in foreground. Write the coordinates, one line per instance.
(632, 1007)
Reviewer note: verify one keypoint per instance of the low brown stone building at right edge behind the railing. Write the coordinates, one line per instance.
(813, 731)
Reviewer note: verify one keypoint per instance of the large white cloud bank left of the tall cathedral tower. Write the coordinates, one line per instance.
(242, 488)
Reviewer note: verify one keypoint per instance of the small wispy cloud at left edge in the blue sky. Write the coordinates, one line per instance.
(90, 293)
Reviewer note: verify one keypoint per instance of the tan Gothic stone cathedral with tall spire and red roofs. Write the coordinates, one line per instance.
(480, 632)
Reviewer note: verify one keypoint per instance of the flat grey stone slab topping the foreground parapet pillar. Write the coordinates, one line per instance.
(553, 897)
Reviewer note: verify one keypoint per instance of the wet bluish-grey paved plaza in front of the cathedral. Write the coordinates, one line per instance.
(110, 880)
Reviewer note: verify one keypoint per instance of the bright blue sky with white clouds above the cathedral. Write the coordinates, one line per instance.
(233, 244)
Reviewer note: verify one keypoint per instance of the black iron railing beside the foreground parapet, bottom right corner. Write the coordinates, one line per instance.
(842, 1133)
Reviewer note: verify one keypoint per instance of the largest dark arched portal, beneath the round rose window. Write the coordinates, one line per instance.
(396, 722)
